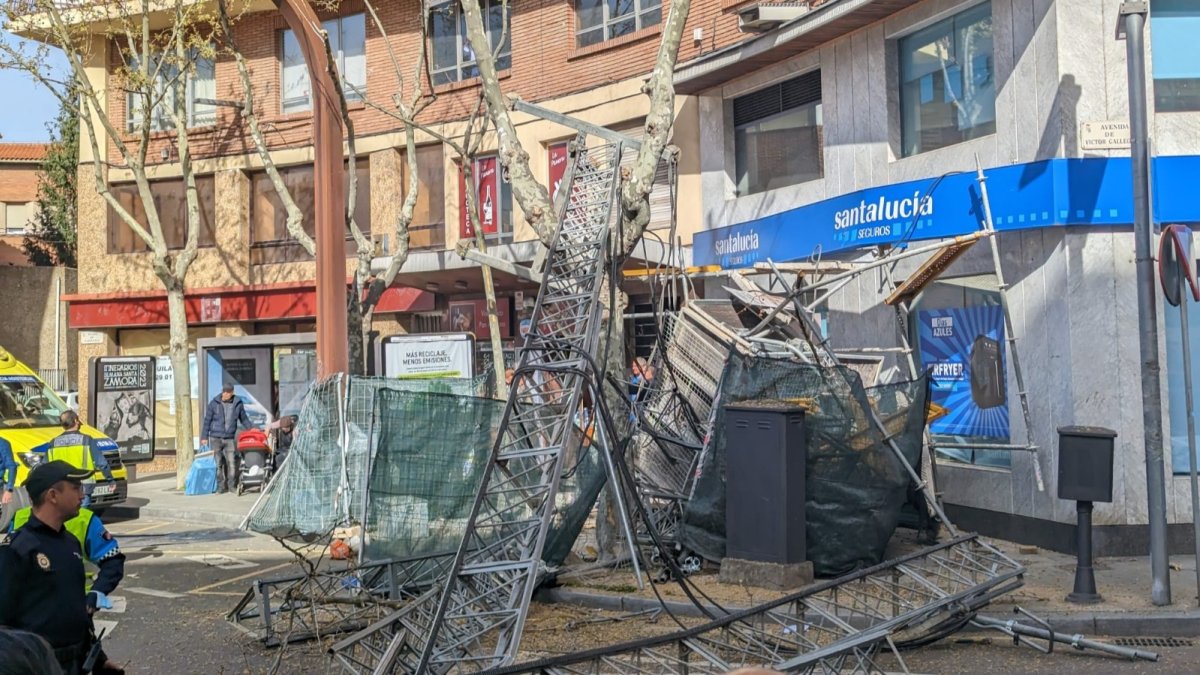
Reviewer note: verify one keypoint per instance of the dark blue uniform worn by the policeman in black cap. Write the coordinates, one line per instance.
(41, 590)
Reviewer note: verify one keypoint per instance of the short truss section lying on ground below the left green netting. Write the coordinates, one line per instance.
(303, 607)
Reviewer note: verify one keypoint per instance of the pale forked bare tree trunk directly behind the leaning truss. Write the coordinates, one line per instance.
(637, 183)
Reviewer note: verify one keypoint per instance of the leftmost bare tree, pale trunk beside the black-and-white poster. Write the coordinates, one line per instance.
(154, 69)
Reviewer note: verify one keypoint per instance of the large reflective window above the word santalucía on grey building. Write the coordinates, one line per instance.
(947, 83)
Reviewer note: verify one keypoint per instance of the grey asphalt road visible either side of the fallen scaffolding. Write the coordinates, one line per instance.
(183, 580)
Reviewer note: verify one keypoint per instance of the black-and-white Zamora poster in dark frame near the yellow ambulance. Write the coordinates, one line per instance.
(123, 404)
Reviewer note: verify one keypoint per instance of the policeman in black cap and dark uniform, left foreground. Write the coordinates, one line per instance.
(41, 569)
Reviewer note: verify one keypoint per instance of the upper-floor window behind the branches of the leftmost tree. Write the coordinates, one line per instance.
(200, 89)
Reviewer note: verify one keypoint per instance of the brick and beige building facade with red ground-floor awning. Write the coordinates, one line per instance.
(247, 261)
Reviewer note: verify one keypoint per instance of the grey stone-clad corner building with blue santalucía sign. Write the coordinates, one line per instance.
(824, 144)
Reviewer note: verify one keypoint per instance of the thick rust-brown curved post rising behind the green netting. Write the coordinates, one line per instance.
(329, 189)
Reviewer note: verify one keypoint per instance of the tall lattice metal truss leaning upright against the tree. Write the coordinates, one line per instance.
(473, 619)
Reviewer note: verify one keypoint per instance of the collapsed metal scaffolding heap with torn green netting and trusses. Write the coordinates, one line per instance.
(455, 537)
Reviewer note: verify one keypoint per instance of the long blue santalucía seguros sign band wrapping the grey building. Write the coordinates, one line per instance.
(1095, 192)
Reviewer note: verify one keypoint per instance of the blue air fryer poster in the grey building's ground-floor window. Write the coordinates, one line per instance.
(964, 351)
